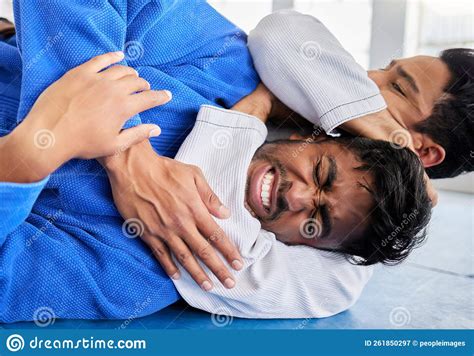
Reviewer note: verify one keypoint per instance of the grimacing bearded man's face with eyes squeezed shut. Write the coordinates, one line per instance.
(314, 196)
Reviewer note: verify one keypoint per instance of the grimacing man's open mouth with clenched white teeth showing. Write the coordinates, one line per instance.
(263, 190)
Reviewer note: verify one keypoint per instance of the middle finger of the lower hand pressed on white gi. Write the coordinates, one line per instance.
(205, 252)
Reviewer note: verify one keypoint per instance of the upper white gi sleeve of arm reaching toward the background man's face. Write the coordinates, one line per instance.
(306, 67)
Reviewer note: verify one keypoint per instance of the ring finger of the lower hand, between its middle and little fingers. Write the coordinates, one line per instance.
(186, 259)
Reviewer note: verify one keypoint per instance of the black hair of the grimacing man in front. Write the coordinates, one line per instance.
(402, 209)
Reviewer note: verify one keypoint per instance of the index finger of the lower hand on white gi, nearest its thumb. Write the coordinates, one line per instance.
(217, 237)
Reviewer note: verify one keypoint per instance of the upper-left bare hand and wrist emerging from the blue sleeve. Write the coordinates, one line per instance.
(59, 126)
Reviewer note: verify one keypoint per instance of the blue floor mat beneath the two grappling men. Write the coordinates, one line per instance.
(434, 288)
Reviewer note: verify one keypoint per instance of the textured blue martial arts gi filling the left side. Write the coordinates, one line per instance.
(62, 245)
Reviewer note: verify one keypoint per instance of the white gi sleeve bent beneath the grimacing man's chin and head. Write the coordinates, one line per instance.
(277, 281)
